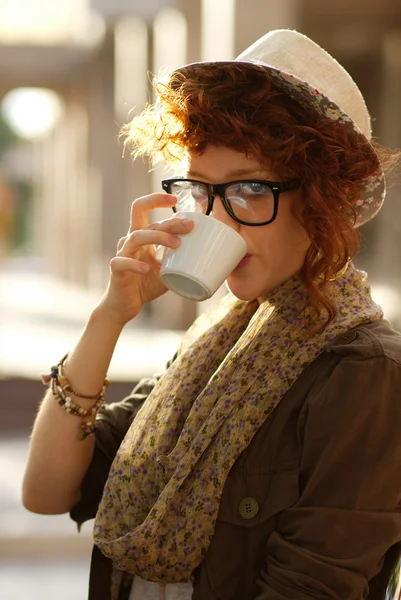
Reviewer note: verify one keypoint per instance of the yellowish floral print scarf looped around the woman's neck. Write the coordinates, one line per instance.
(160, 503)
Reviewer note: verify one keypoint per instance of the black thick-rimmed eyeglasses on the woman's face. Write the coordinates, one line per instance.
(250, 202)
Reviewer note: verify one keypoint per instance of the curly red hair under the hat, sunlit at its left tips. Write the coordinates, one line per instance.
(227, 104)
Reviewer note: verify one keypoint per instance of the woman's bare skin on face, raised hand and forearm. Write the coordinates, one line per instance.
(58, 460)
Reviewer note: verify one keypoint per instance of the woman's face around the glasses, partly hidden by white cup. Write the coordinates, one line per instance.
(275, 251)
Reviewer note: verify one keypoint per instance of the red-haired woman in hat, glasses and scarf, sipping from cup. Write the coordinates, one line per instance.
(265, 462)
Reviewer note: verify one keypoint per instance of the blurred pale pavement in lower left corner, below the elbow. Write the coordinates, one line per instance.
(41, 557)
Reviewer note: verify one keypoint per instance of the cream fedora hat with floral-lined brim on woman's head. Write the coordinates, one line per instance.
(314, 79)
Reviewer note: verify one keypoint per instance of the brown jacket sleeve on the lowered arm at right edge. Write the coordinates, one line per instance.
(334, 539)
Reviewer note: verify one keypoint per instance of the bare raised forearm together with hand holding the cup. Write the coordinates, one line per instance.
(58, 460)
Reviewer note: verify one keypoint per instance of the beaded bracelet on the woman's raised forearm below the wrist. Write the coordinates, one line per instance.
(61, 387)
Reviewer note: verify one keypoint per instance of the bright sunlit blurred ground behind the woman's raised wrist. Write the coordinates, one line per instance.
(41, 318)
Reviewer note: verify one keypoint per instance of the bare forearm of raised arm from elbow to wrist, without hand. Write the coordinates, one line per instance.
(58, 459)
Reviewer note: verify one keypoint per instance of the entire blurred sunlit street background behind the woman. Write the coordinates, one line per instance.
(71, 73)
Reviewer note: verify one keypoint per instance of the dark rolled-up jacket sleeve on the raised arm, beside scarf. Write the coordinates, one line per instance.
(113, 422)
